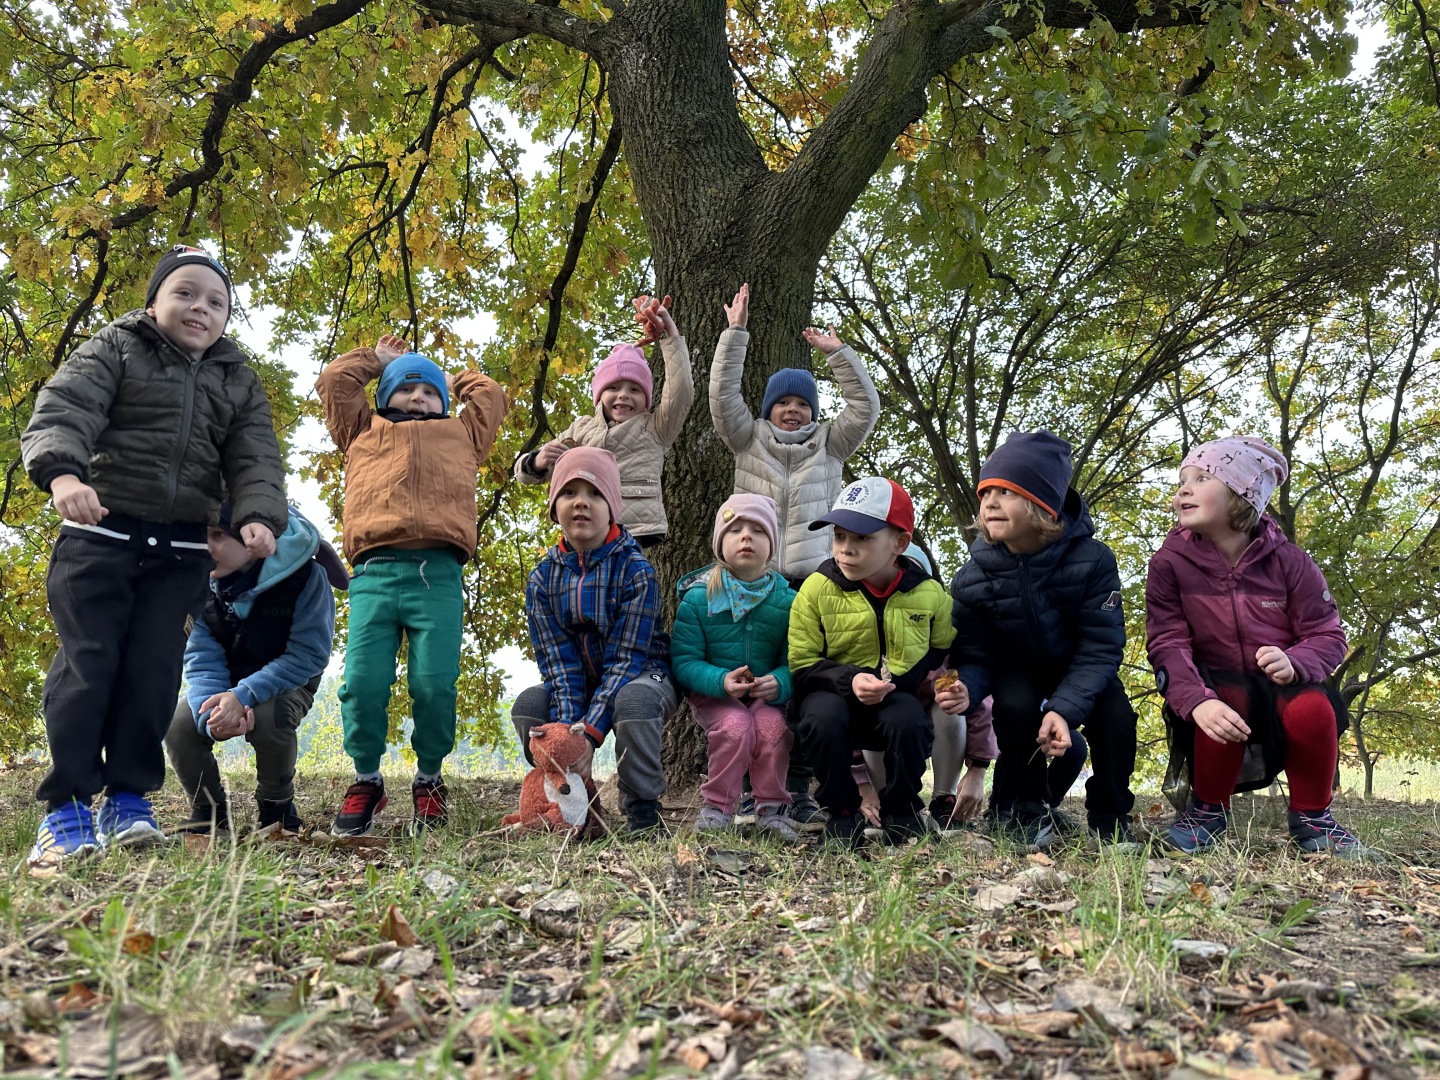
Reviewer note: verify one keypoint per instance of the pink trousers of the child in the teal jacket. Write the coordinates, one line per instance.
(744, 737)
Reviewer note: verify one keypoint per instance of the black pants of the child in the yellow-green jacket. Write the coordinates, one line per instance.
(832, 728)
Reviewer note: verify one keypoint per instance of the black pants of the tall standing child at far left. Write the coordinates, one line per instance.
(120, 611)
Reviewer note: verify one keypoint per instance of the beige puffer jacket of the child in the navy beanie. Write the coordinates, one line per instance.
(801, 472)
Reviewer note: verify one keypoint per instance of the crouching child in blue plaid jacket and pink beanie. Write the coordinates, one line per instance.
(594, 611)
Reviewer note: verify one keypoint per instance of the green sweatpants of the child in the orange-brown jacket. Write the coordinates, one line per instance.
(417, 594)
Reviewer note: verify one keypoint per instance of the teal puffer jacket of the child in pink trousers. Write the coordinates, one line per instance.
(705, 649)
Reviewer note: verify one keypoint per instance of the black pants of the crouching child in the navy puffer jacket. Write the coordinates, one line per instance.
(1110, 729)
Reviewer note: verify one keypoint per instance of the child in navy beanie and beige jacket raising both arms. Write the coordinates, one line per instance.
(794, 457)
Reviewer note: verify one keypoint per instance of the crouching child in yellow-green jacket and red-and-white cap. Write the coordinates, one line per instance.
(866, 631)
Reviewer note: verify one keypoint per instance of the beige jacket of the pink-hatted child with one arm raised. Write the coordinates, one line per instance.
(639, 444)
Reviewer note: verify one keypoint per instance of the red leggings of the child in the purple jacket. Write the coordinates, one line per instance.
(1311, 751)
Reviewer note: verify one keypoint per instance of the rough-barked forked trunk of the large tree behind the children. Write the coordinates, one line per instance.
(715, 212)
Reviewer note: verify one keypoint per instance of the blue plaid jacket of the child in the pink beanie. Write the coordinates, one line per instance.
(595, 626)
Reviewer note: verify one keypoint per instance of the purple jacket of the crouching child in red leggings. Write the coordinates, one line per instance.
(1199, 610)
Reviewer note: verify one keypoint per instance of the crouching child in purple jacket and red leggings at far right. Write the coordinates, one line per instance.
(1243, 631)
